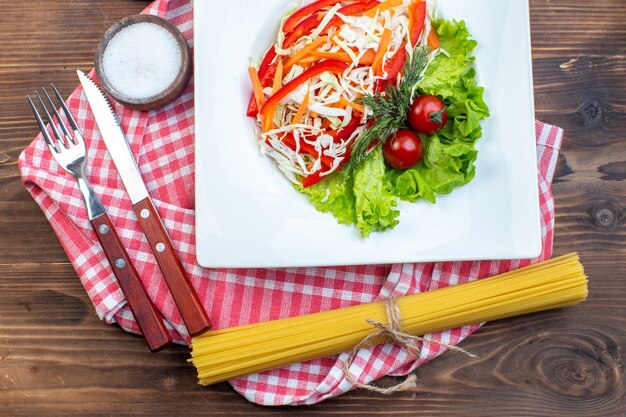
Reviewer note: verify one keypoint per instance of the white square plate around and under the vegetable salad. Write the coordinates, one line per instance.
(249, 215)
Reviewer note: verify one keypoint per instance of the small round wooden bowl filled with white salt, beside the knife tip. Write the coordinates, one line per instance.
(143, 62)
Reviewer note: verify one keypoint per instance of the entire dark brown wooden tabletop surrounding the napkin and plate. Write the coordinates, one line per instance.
(57, 358)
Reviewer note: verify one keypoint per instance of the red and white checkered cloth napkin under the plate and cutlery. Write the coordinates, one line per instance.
(162, 142)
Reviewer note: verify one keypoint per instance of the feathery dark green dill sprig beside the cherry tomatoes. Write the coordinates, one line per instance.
(390, 109)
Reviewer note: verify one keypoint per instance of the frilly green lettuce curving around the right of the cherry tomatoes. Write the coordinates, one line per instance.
(450, 154)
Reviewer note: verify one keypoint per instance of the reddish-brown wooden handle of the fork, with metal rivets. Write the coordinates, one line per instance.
(148, 318)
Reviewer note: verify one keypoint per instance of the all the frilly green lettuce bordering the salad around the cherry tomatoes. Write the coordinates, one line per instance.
(369, 196)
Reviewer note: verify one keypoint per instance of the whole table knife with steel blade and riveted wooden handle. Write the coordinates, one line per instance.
(191, 310)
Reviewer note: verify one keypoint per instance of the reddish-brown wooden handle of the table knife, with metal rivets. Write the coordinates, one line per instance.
(190, 307)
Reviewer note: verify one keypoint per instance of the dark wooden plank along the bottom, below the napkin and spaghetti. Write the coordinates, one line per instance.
(54, 351)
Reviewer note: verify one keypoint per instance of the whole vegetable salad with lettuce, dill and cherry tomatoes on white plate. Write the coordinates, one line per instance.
(341, 84)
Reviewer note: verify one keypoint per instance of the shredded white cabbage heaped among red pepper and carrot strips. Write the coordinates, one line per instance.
(314, 144)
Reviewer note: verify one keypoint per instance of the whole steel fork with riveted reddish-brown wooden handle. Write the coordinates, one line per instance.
(68, 149)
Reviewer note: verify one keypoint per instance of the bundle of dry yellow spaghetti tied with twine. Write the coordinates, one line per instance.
(224, 354)
